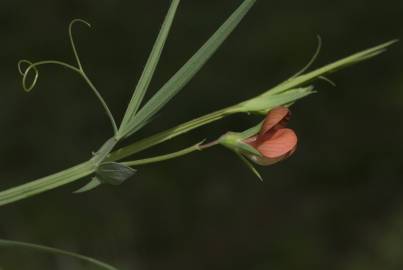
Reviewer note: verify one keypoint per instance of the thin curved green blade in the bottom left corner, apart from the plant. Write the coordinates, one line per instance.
(17, 244)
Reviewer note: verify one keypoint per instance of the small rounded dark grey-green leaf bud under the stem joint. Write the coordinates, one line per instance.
(114, 173)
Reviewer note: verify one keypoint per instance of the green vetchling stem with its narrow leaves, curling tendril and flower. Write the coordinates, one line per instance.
(110, 166)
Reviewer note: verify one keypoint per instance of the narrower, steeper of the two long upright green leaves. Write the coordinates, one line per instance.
(150, 67)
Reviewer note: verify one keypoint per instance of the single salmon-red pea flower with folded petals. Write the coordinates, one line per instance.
(275, 142)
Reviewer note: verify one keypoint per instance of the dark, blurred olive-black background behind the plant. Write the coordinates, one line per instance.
(336, 204)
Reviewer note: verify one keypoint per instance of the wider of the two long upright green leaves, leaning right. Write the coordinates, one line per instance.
(189, 70)
